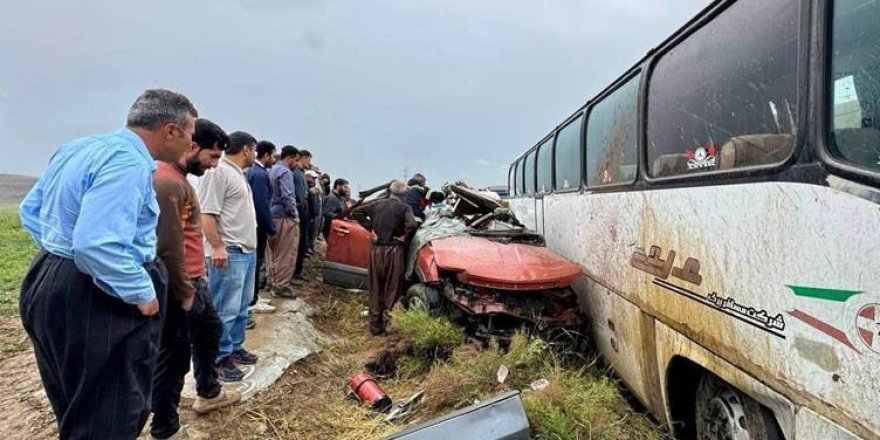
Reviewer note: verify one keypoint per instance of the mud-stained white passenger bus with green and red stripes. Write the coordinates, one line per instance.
(722, 200)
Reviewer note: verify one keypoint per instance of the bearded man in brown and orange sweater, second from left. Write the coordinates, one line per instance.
(181, 249)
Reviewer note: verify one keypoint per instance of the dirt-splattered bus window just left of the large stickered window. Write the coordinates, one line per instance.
(612, 137)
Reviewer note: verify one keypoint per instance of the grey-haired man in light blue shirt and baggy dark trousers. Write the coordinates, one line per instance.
(93, 299)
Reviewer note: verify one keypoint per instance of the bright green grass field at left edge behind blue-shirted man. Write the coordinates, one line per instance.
(17, 249)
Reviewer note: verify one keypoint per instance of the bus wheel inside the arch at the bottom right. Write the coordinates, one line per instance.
(723, 412)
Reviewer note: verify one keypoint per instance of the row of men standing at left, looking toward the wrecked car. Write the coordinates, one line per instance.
(138, 272)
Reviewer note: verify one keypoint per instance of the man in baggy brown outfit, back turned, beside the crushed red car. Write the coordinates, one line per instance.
(392, 223)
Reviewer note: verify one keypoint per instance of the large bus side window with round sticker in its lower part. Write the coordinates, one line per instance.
(726, 97)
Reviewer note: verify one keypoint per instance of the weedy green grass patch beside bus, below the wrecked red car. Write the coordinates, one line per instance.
(580, 403)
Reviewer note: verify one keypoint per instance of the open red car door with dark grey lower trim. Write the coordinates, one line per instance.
(348, 254)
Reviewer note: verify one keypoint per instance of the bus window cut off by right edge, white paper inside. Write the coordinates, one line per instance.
(855, 63)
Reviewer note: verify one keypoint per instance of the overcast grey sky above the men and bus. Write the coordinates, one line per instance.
(452, 88)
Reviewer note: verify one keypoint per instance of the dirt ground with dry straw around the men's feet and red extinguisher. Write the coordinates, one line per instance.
(307, 402)
